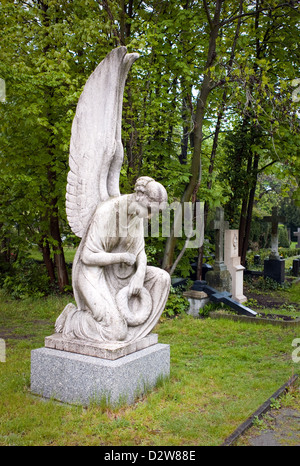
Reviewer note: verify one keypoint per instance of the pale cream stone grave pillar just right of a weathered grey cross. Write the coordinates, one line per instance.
(233, 264)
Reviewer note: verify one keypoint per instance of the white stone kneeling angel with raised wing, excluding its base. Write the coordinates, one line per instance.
(119, 298)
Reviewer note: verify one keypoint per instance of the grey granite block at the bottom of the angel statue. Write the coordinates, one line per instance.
(79, 379)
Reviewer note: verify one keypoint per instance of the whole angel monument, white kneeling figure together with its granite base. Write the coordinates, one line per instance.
(103, 346)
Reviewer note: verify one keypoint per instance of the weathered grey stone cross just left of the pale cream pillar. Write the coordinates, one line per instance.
(219, 278)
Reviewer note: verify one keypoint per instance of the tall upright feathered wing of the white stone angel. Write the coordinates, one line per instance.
(96, 150)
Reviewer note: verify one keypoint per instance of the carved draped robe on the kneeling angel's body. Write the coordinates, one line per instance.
(106, 312)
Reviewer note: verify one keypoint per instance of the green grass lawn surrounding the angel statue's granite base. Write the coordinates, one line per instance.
(221, 372)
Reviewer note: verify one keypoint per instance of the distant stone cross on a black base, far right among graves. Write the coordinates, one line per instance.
(274, 266)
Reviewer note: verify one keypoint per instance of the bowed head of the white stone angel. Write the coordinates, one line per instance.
(150, 197)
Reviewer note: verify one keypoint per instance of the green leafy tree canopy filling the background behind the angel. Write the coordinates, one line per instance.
(49, 49)
